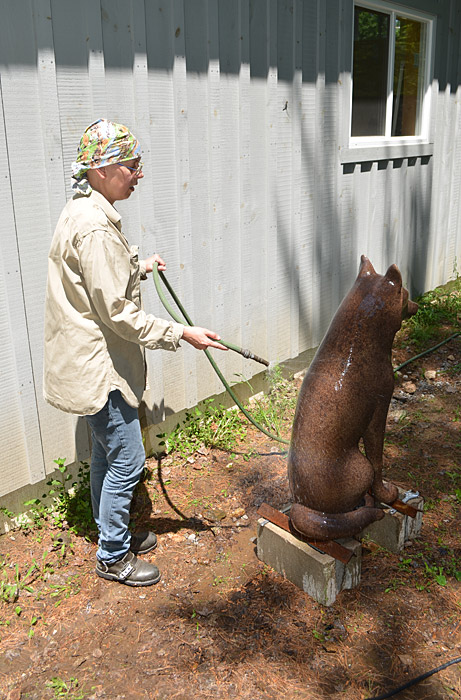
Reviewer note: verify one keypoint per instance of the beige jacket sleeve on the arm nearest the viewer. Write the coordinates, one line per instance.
(111, 278)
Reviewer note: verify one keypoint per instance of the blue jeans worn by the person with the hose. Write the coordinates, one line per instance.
(117, 462)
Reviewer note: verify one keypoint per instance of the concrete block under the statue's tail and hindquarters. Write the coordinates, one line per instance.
(318, 574)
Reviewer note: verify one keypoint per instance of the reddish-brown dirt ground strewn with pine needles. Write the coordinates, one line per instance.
(221, 624)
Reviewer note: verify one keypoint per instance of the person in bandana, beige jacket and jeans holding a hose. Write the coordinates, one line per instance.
(95, 337)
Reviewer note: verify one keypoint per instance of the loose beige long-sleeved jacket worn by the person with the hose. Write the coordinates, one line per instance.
(95, 328)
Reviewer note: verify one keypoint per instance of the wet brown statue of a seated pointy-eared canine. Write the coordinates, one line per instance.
(344, 397)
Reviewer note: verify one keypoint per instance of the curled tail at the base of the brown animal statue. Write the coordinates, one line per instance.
(330, 526)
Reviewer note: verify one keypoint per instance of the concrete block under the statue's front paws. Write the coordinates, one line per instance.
(395, 529)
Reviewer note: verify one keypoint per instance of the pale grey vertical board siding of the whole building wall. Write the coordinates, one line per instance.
(240, 110)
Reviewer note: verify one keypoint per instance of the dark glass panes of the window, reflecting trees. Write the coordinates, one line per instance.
(390, 77)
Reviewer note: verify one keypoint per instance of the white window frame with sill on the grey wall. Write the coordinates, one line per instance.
(363, 148)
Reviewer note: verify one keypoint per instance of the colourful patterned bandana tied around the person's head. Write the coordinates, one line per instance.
(102, 143)
